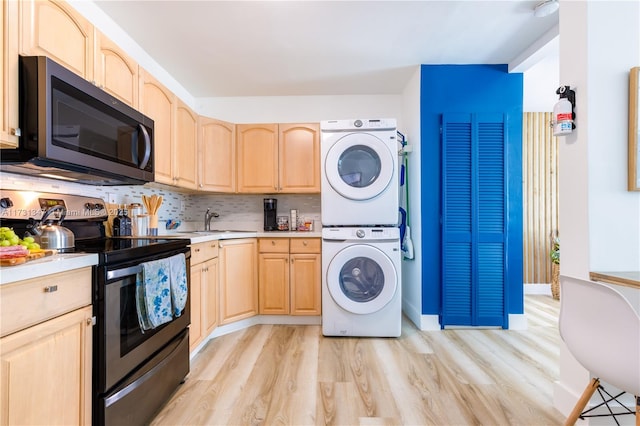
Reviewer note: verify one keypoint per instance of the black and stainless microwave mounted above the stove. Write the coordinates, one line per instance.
(72, 130)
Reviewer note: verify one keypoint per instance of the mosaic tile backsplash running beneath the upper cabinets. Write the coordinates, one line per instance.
(236, 211)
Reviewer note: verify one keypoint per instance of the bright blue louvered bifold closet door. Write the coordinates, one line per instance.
(473, 220)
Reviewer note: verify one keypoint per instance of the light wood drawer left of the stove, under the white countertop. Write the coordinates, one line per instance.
(30, 302)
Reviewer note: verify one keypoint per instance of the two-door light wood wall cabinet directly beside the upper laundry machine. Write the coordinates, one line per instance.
(276, 158)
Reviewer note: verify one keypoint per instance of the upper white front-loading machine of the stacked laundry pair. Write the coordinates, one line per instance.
(359, 172)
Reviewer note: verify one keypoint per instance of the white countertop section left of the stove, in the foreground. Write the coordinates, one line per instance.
(46, 266)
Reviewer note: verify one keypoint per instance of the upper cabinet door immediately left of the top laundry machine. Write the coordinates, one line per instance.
(299, 158)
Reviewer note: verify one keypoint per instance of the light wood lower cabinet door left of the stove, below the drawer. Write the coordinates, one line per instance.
(45, 372)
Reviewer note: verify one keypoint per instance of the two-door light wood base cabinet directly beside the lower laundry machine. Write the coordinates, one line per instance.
(290, 276)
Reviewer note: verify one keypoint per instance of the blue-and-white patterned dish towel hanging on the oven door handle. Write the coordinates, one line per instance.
(161, 291)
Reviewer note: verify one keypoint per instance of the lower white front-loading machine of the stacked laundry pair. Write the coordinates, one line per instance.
(361, 286)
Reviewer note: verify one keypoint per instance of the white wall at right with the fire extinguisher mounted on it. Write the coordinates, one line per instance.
(599, 218)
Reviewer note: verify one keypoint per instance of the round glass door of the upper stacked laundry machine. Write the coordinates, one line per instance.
(359, 166)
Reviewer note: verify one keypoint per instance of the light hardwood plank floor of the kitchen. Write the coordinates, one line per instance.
(292, 375)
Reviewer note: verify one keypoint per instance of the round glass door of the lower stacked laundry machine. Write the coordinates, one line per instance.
(361, 279)
